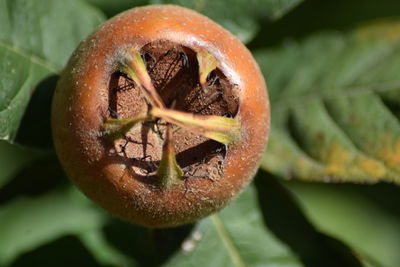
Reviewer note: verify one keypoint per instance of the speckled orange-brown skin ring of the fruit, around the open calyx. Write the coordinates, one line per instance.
(81, 98)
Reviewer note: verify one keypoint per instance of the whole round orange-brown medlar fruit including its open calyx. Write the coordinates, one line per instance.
(160, 116)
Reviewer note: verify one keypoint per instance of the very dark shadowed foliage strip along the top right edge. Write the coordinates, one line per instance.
(313, 16)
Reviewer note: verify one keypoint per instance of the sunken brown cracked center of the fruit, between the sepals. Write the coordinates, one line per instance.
(174, 72)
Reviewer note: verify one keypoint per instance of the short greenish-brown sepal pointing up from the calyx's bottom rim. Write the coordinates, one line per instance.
(169, 172)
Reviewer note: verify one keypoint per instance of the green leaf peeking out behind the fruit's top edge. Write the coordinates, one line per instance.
(240, 16)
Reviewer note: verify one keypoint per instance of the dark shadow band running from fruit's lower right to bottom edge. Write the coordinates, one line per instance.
(285, 219)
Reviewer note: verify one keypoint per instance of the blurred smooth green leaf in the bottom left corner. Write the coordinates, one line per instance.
(27, 223)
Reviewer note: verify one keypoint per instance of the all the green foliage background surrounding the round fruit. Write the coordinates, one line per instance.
(304, 48)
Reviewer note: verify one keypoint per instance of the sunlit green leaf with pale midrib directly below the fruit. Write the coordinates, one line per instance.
(234, 237)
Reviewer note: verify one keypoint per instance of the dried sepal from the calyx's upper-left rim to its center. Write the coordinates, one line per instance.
(131, 63)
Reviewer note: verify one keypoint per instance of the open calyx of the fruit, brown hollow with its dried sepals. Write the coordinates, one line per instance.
(181, 90)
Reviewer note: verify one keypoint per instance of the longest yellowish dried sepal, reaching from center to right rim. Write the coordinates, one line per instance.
(221, 129)
